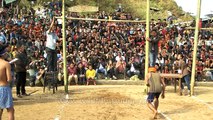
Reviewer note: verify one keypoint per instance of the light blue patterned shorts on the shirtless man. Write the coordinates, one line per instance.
(6, 99)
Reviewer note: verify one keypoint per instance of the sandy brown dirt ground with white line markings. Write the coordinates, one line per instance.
(107, 102)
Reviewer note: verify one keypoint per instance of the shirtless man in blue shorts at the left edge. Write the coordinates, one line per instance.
(6, 100)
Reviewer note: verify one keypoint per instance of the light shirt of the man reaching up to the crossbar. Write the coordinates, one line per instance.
(51, 40)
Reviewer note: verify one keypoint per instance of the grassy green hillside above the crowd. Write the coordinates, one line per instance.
(136, 7)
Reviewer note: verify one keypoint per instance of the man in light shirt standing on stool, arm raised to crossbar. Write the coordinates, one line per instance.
(51, 48)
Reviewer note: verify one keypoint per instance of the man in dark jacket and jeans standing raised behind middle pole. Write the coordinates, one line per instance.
(153, 48)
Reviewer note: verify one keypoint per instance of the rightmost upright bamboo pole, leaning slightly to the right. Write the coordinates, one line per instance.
(195, 47)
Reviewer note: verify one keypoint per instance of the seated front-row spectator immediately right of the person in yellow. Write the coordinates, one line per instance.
(101, 68)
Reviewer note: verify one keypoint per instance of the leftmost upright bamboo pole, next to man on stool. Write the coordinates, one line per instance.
(64, 48)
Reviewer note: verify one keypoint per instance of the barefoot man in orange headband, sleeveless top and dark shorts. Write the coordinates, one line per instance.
(156, 87)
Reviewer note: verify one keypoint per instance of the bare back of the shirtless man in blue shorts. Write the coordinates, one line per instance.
(5, 72)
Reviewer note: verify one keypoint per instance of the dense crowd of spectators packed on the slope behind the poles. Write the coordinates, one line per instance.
(111, 48)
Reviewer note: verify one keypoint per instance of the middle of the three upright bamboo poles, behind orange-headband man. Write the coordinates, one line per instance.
(147, 36)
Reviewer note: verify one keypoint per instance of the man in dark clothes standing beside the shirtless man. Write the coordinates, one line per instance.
(20, 69)
